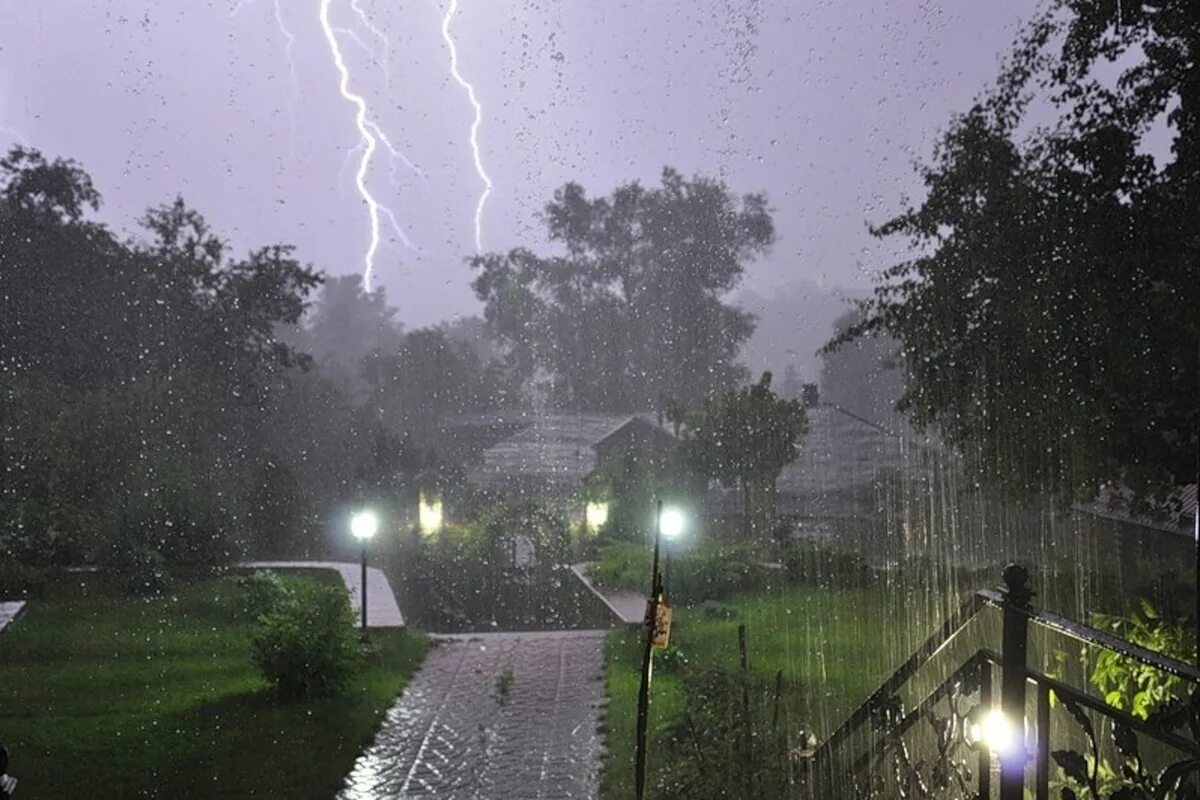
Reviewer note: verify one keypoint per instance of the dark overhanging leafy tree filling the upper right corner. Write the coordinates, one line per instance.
(1048, 318)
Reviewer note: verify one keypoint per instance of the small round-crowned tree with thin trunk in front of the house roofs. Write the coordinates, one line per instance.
(745, 438)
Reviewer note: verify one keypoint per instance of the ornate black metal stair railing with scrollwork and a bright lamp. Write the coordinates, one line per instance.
(877, 754)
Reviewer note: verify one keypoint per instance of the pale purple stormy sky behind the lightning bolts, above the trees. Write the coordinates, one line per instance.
(824, 106)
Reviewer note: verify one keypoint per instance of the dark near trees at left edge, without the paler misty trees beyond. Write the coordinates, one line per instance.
(135, 376)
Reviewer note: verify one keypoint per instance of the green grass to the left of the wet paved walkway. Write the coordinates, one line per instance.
(159, 699)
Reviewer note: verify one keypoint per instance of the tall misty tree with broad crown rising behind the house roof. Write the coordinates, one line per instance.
(632, 310)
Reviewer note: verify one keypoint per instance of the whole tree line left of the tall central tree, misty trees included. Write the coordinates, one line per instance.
(161, 398)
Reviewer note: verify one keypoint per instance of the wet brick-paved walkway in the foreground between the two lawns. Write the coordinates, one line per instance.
(493, 717)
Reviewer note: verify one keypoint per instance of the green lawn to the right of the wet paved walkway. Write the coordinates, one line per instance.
(835, 647)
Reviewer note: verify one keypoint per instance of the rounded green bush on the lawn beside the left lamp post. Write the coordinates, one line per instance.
(307, 646)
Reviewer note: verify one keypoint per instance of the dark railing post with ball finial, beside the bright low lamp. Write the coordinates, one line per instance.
(1012, 689)
